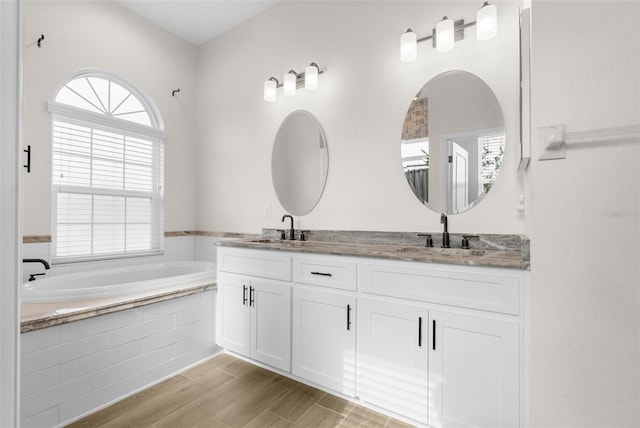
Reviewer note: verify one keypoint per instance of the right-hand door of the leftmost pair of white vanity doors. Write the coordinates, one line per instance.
(270, 303)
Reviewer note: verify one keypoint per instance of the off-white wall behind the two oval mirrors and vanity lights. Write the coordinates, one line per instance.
(361, 102)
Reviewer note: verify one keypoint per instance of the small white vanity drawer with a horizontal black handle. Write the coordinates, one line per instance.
(325, 271)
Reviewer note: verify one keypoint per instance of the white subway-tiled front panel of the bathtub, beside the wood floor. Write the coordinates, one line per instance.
(75, 368)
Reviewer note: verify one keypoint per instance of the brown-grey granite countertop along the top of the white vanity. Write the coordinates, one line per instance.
(514, 258)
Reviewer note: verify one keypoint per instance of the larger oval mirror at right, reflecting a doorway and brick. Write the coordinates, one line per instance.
(453, 142)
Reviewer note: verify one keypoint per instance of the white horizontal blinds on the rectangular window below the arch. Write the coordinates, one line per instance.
(107, 192)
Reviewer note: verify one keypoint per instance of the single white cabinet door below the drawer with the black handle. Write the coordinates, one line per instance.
(324, 341)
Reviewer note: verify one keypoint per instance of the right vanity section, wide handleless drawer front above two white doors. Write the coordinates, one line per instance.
(455, 359)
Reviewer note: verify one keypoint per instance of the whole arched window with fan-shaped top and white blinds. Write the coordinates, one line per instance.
(107, 175)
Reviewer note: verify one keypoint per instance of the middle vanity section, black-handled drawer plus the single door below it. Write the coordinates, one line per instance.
(324, 322)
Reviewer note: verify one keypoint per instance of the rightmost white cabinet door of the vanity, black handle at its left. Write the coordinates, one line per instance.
(473, 372)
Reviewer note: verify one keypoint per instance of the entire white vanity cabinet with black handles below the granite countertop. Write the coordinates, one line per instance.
(442, 345)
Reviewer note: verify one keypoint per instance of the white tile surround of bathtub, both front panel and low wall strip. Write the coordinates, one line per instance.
(79, 356)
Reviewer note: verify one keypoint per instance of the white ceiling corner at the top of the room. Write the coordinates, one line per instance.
(197, 20)
